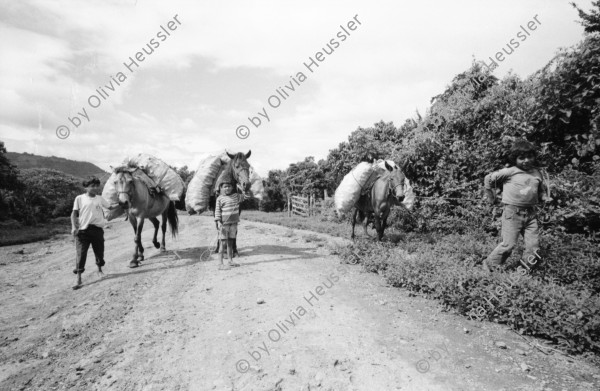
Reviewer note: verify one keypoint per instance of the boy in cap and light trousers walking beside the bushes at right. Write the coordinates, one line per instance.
(522, 189)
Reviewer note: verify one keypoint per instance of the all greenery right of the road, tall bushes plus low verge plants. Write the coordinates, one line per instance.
(437, 248)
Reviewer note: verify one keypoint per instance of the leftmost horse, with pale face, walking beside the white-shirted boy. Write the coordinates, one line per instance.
(140, 204)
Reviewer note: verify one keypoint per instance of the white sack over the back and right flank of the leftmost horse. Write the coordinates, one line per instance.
(160, 172)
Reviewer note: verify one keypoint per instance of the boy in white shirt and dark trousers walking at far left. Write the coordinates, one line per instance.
(87, 222)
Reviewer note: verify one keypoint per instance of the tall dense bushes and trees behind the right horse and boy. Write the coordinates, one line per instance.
(467, 134)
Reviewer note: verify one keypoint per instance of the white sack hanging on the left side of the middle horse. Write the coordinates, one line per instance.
(202, 184)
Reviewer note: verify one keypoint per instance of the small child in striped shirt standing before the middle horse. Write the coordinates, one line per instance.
(227, 216)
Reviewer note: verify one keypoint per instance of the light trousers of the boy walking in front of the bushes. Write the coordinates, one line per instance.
(516, 220)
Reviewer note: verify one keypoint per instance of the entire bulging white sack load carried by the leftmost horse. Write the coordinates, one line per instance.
(153, 172)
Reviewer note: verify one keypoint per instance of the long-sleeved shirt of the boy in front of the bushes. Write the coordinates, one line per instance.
(520, 188)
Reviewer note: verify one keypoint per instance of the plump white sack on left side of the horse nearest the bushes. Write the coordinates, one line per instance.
(353, 184)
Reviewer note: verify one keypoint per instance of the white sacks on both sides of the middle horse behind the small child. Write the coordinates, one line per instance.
(209, 174)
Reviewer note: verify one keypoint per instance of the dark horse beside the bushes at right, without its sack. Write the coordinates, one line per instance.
(387, 190)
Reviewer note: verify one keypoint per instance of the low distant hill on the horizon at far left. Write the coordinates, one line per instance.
(72, 167)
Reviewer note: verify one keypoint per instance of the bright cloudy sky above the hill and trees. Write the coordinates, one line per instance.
(223, 60)
